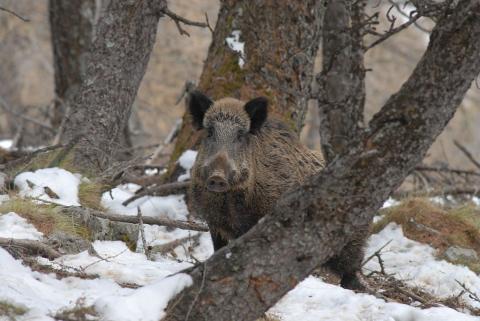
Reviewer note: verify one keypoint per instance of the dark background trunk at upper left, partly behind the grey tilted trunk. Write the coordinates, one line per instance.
(71, 24)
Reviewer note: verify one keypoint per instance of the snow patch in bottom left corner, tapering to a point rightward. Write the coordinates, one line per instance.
(43, 294)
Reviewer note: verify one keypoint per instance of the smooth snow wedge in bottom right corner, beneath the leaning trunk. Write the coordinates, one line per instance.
(314, 300)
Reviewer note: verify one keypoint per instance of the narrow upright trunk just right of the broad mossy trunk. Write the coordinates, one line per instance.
(341, 82)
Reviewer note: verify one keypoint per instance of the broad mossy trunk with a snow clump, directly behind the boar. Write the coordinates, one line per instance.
(281, 40)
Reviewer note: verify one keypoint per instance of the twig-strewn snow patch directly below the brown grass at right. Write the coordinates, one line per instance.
(415, 264)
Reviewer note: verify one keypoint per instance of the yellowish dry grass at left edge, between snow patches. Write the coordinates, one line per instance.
(46, 218)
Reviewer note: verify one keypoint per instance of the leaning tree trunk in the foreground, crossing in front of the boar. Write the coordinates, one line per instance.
(314, 221)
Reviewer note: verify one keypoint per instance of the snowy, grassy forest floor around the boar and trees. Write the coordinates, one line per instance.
(421, 261)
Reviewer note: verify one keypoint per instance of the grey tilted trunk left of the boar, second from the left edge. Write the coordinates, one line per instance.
(115, 65)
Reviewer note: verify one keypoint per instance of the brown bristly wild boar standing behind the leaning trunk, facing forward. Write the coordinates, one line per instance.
(246, 161)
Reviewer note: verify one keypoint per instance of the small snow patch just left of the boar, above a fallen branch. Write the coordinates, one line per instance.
(172, 206)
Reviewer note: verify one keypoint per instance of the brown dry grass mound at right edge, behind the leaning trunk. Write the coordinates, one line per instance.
(440, 228)
